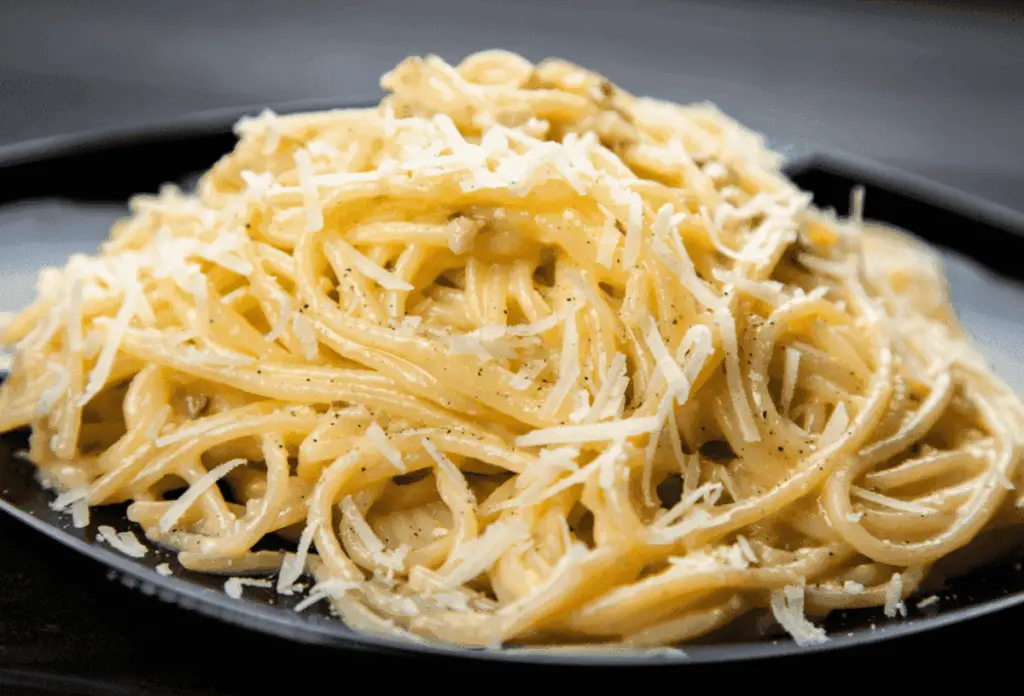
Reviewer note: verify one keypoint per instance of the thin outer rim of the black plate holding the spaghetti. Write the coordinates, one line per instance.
(334, 634)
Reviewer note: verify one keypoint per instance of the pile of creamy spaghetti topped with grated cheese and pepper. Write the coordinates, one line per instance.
(518, 358)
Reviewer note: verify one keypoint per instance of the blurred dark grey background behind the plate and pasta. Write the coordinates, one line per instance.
(930, 88)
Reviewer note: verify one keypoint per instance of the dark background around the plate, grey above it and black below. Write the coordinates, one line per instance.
(935, 89)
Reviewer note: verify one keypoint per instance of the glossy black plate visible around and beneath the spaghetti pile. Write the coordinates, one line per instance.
(141, 160)
